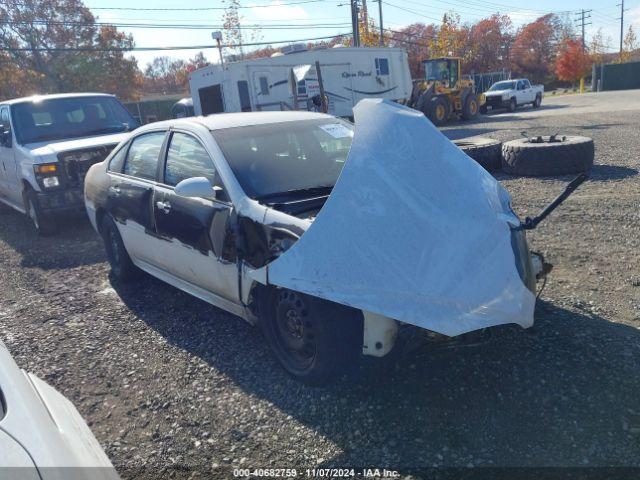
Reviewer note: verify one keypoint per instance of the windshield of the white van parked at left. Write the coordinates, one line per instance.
(72, 117)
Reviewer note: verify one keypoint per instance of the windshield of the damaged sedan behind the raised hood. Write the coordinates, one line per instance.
(288, 157)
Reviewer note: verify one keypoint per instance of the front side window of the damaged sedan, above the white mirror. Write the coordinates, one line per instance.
(187, 158)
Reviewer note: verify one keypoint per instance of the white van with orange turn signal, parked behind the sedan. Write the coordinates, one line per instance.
(47, 144)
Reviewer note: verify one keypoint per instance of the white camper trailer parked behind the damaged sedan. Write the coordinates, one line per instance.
(348, 75)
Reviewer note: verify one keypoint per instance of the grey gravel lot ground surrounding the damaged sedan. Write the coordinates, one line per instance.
(166, 381)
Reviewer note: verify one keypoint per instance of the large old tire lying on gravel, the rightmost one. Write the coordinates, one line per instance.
(572, 155)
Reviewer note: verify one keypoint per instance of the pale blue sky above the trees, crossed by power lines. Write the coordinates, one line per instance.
(334, 16)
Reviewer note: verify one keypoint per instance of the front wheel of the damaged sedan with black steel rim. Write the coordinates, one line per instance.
(313, 339)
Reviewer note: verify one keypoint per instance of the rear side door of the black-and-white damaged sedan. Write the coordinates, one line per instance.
(132, 176)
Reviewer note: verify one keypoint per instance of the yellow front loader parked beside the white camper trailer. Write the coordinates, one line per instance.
(445, 93)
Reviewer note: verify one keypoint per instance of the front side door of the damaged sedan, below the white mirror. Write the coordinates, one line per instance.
(198, 246)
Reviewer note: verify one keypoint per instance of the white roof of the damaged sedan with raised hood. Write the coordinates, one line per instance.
(219, 121)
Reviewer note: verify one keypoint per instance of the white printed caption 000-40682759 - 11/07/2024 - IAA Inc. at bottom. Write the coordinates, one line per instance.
(316, 473)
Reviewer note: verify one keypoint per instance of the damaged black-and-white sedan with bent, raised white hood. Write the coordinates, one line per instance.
(328, 240)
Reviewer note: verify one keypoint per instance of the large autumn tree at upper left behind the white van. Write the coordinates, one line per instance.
(57, 46)
